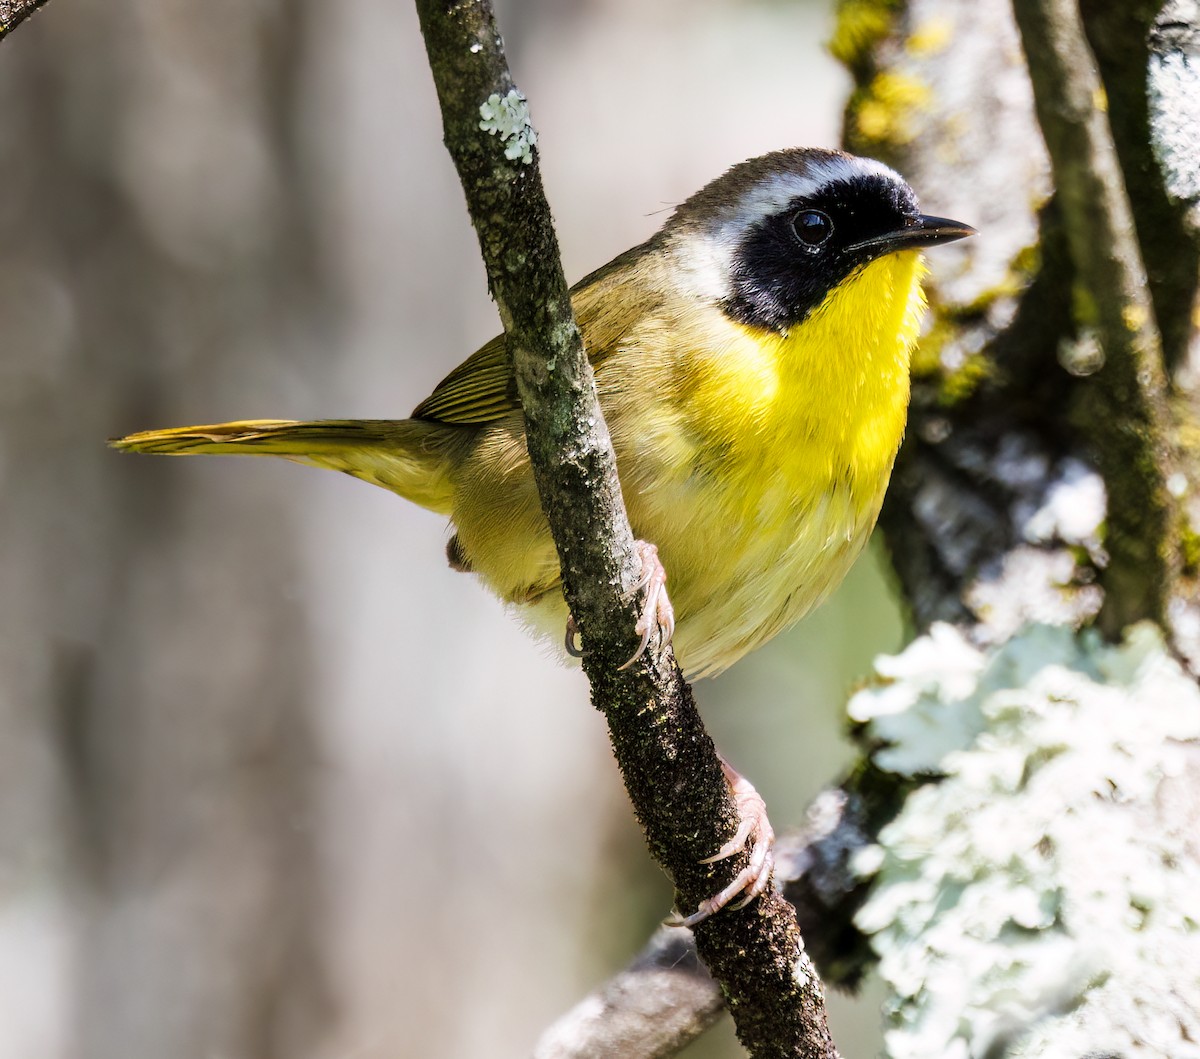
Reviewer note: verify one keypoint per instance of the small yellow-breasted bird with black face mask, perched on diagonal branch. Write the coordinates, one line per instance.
(753, 364)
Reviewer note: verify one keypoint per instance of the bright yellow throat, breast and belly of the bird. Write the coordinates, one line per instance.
(764, 484)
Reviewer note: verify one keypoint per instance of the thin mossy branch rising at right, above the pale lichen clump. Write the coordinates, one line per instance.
(1126, 417)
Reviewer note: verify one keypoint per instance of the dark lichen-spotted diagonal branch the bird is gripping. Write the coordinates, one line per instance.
(669, 762)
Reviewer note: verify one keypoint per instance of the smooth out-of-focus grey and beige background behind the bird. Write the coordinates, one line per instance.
(274, 781)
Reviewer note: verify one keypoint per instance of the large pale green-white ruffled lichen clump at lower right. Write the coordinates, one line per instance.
(1031, 902)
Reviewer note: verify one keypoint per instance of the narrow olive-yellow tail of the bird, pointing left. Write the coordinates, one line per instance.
(411, 457)
